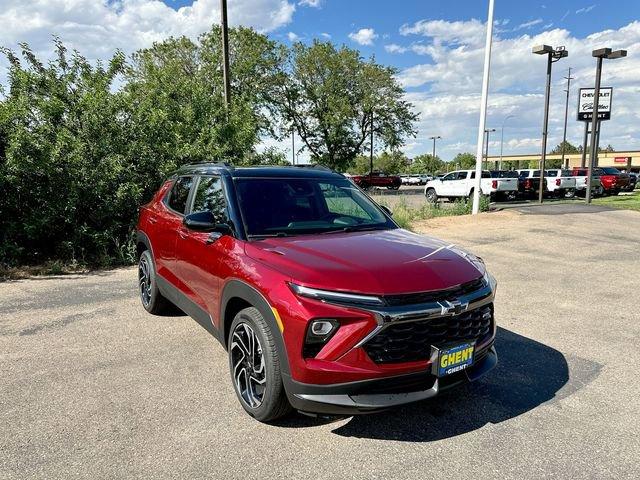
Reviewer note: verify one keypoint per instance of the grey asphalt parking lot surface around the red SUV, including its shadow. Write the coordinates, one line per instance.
(94, 387)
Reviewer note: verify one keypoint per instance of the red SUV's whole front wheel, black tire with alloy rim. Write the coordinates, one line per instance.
(255, 367)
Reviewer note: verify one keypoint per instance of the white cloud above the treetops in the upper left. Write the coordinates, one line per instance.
(98, 28)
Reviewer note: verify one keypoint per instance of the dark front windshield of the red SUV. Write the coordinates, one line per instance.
(291, 206)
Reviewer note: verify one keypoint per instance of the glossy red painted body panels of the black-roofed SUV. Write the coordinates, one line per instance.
(380, 262)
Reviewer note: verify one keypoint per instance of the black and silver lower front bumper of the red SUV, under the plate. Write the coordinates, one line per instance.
(373, 395)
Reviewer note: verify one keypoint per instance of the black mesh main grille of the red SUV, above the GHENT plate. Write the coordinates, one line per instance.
(411, 341)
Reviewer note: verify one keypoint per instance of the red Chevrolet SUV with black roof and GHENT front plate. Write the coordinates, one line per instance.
(323, 303)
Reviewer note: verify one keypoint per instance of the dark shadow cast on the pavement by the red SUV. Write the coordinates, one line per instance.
(528, 374)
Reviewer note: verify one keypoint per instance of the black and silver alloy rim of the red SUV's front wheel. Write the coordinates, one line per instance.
(247, 359)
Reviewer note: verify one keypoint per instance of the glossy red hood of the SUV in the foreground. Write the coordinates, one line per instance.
(377, 262)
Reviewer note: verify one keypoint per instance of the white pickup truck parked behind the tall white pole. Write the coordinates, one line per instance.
(460, 184)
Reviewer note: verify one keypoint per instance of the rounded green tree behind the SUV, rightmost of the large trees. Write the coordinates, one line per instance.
(334, 99)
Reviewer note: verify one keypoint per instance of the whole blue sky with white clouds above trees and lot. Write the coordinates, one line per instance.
(437, 47)
